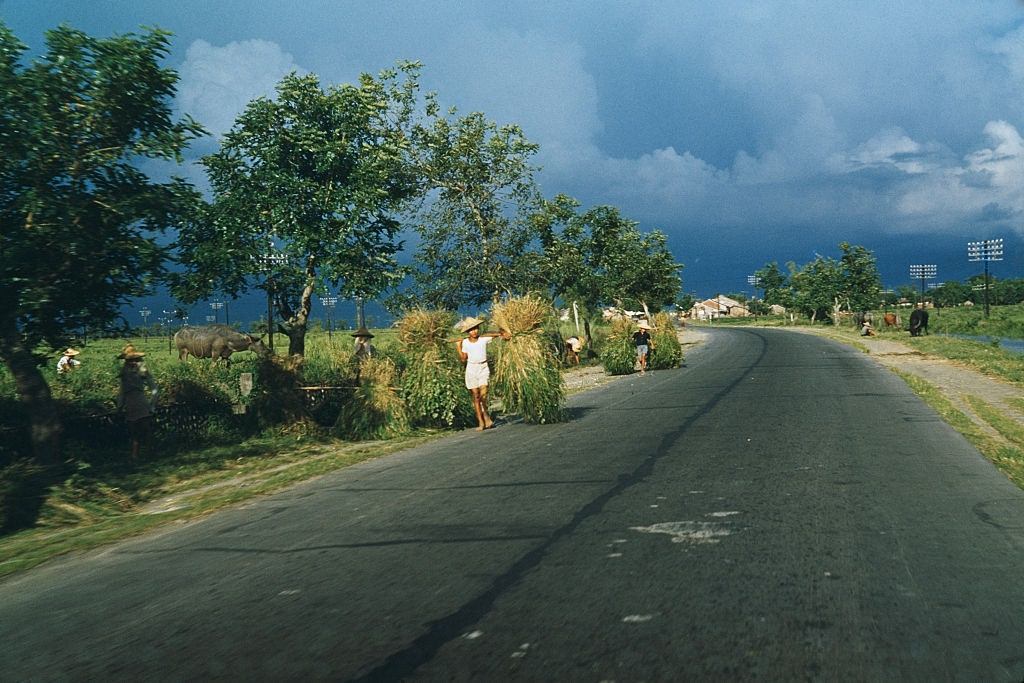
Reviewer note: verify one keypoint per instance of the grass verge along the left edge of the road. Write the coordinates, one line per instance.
(94, 508)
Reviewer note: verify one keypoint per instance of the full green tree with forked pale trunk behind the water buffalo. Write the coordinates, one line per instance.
(307, 192)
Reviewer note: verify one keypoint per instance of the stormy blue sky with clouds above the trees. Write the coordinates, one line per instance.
(749, 133)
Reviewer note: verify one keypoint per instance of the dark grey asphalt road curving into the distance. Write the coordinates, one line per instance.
(779, 509)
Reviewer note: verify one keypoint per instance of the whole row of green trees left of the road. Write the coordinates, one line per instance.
(312, 190)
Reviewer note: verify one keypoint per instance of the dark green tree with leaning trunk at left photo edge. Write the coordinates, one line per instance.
(79, 219)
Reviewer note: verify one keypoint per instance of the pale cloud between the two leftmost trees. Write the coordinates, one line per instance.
(219, 82)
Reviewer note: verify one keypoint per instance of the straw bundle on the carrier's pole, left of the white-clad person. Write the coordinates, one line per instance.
(433, 383)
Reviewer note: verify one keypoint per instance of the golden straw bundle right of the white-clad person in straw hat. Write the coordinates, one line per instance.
(527, 374)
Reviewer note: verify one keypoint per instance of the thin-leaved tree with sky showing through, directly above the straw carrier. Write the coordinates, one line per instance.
(476, 224)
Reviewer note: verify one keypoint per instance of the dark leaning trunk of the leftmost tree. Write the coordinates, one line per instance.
(34, 395)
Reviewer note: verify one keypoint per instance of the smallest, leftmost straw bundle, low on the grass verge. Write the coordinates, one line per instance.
(375, 410)
